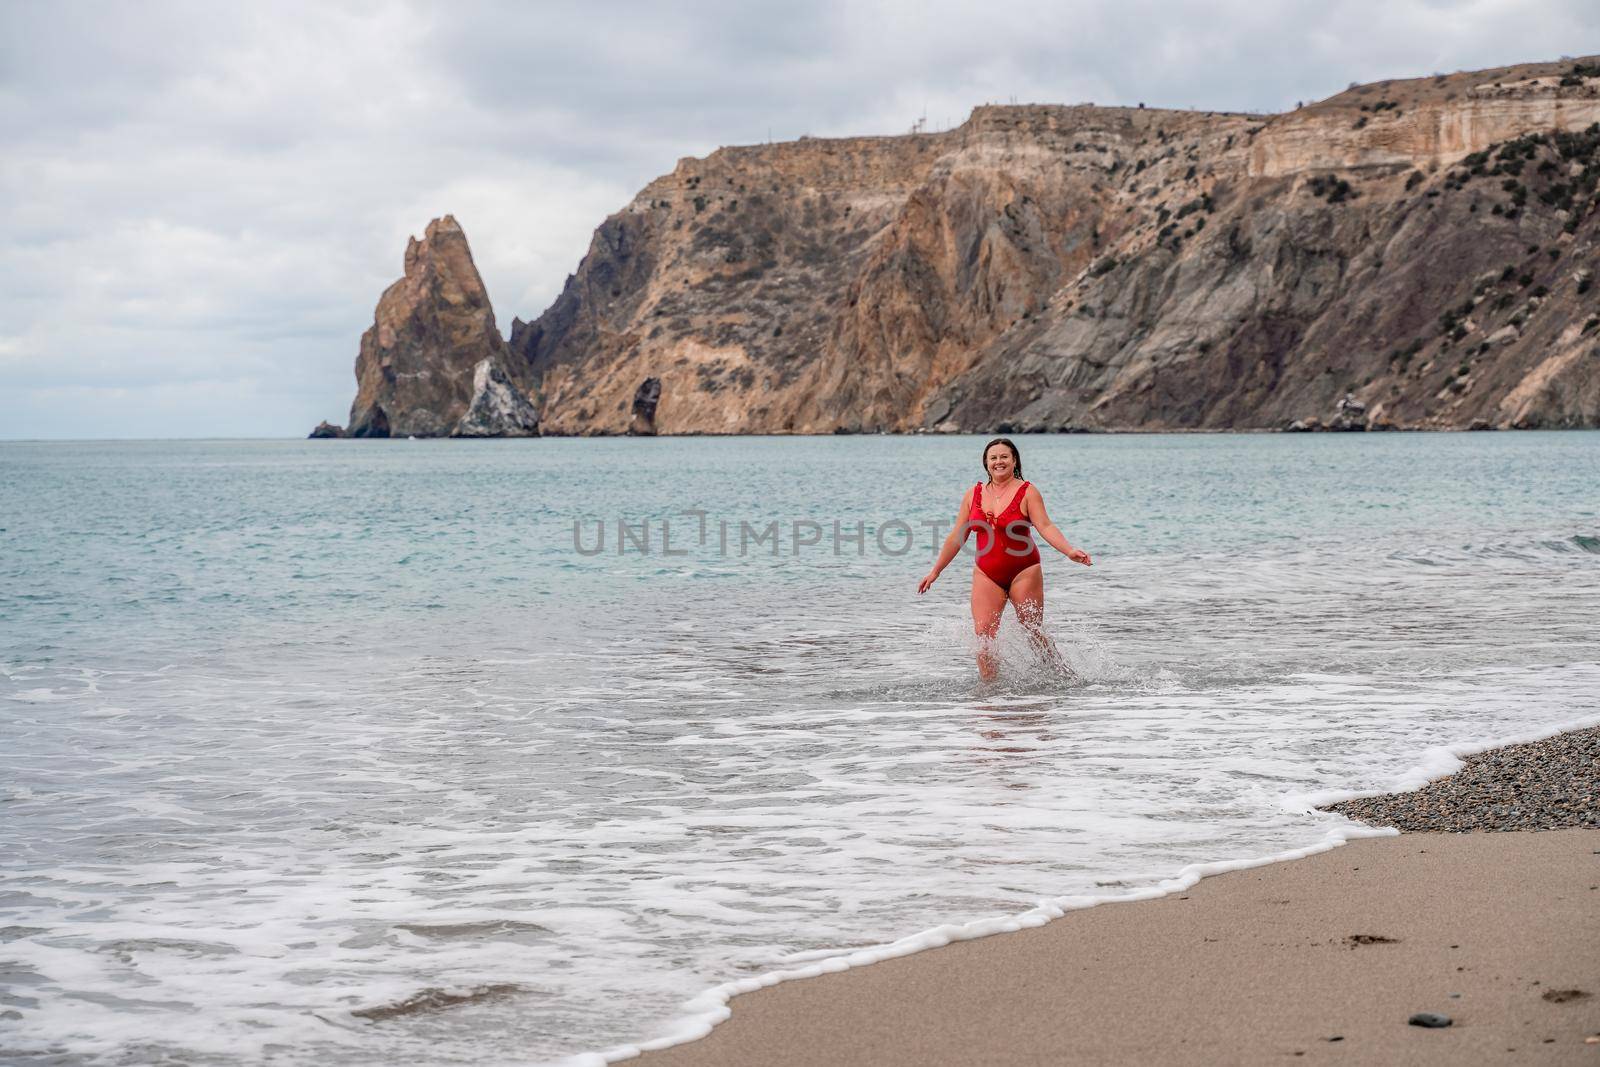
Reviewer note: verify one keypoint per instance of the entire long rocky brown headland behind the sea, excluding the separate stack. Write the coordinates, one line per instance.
(1404, 244)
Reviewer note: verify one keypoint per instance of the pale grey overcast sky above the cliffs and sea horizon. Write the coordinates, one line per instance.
(202, 202)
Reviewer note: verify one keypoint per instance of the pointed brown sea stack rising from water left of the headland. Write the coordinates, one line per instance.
(418, 369)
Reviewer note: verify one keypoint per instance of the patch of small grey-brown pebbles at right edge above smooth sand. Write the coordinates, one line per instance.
(1538, 786)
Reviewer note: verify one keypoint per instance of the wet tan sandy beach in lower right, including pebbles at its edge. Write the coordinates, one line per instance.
(1324, 957)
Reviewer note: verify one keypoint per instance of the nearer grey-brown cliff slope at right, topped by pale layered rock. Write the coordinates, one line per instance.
(1444, 290)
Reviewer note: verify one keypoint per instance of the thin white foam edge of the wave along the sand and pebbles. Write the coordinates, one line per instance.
(710, 1009)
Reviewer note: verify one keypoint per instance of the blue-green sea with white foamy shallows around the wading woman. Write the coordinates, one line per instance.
(535, 751)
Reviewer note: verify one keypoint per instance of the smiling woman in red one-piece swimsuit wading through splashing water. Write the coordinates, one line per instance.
(1009, 565)
